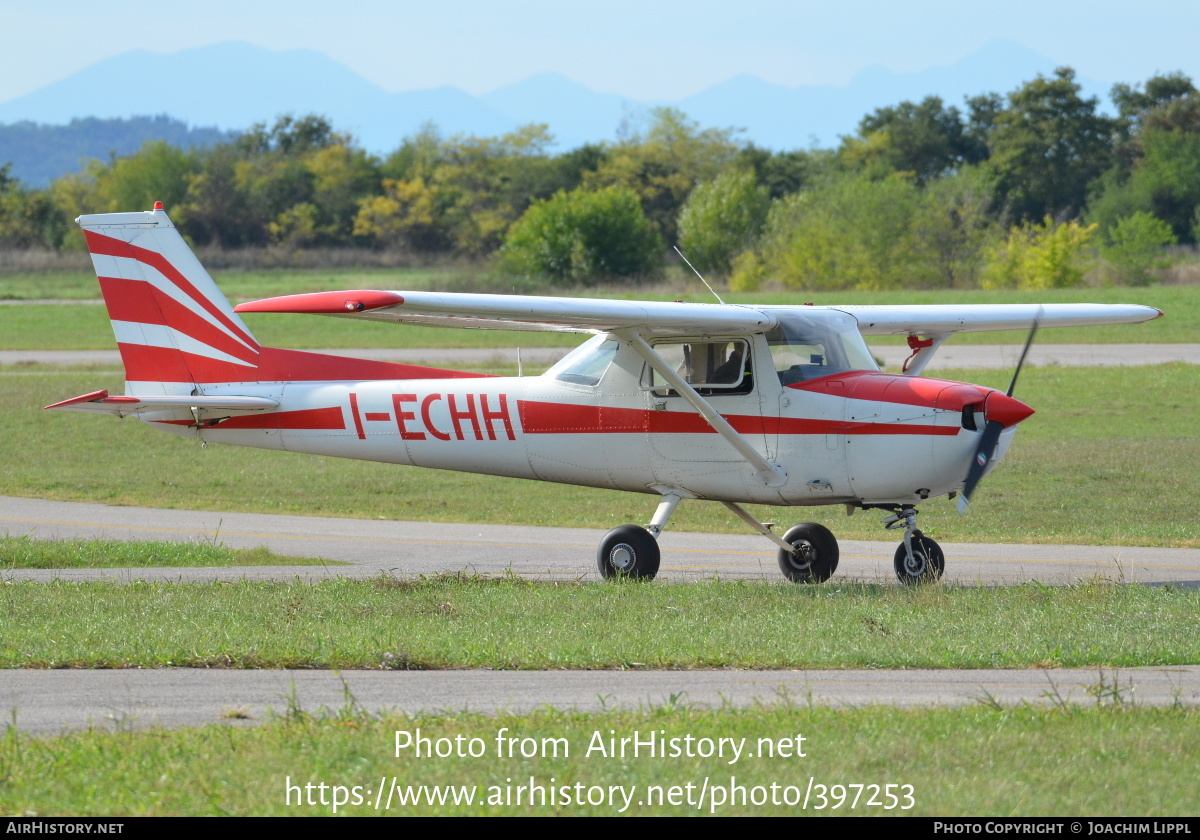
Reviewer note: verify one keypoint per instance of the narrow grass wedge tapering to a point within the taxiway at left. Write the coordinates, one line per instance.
(22, 553)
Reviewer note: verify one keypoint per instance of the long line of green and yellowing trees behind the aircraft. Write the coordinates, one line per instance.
(1019, 190)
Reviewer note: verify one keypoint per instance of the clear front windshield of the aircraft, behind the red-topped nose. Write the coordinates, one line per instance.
(807, 347)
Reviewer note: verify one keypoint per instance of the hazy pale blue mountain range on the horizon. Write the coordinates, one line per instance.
(233, 86)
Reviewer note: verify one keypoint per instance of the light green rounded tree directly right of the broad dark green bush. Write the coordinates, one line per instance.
(723, 219)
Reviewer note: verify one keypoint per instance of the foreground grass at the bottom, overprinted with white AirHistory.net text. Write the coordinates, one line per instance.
(974, 761)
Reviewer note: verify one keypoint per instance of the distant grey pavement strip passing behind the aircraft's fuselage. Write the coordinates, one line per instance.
(950, 357)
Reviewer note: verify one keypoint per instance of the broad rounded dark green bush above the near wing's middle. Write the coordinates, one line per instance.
(584, 237)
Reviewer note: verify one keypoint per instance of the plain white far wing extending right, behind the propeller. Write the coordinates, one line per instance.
(947, 320)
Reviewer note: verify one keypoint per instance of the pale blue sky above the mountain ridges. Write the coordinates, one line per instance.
(640, 50)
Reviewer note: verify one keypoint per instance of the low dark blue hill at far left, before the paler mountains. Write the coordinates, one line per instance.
(41, 153)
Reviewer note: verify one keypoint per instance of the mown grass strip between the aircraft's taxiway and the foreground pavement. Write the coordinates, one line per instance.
(458, 622)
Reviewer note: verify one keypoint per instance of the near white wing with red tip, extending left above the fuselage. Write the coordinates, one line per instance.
(525, 313)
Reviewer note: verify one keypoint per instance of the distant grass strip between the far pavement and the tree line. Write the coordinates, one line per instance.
(82, 327)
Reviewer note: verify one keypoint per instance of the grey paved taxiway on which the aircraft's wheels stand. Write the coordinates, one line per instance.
(375, 548)
